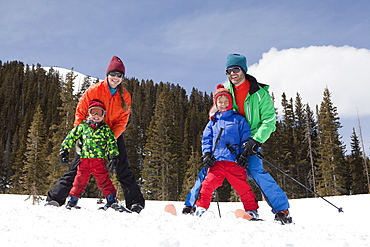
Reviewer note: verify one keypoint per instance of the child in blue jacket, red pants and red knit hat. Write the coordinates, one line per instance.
(222, 142)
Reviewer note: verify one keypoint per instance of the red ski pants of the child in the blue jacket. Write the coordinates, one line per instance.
(236, 176)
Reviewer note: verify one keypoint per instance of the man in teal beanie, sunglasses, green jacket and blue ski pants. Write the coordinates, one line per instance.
(252, 100)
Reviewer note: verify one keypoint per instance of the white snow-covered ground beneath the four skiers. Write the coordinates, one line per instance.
(316, 223)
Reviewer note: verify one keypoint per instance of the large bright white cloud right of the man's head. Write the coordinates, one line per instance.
(344, 70)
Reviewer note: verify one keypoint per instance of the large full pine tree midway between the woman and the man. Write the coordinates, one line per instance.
(160, 173)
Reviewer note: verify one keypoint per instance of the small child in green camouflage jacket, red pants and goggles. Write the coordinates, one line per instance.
(98, 142)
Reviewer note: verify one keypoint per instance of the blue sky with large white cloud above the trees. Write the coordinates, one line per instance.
(294, 46)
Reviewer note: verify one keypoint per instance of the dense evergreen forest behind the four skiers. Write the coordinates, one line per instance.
(163, 138)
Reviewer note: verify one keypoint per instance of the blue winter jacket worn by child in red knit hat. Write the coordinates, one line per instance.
(235, 132)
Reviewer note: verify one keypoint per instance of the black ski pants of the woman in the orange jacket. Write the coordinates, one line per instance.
(131, 190)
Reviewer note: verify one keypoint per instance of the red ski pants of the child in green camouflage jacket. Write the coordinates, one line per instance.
(97, 167)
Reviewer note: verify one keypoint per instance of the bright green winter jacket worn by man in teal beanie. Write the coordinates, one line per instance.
(259, 109)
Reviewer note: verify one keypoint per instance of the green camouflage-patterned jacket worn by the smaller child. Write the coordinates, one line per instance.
(96, 143)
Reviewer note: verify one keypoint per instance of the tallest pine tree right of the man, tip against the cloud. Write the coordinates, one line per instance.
(331, 153)
